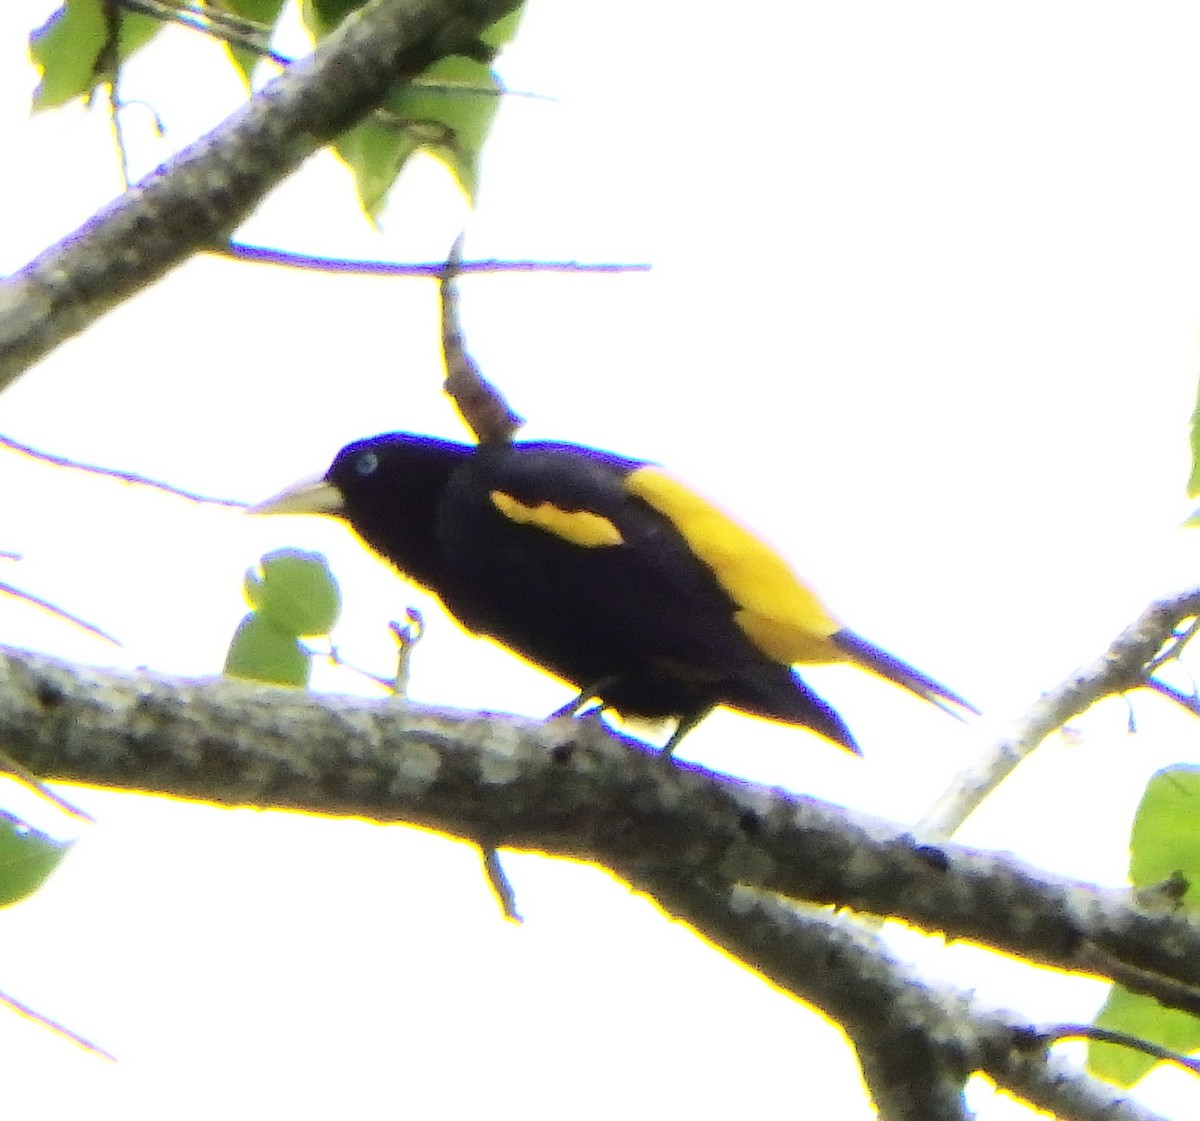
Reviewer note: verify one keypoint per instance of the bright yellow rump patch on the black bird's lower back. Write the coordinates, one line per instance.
(778, 614)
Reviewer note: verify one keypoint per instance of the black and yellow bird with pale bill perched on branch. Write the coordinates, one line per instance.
(605, 572)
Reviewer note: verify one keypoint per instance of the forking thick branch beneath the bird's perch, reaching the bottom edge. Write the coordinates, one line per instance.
(917, 1044)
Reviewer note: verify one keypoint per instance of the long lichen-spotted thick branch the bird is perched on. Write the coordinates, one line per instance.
(571, 789)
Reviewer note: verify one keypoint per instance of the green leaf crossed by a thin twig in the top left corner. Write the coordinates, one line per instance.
(69, 50)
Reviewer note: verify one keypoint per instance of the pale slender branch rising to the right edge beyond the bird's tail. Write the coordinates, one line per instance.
(1126, 666)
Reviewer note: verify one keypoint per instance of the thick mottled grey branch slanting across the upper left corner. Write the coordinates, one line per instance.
(197, 200)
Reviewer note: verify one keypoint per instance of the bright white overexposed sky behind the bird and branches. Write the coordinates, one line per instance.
(925, 309)
